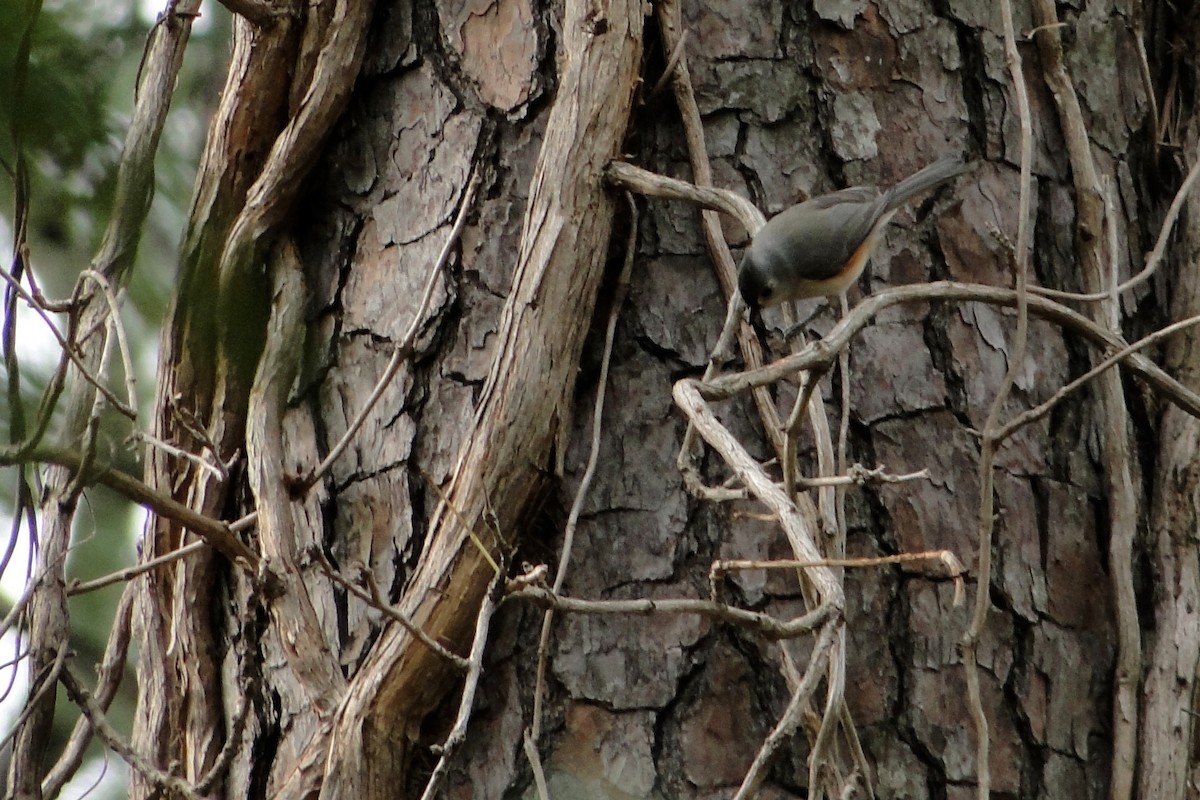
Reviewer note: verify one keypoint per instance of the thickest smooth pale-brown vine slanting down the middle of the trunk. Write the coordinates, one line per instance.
(543, 327)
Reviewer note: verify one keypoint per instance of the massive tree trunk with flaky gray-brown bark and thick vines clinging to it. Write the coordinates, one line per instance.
(459, 462)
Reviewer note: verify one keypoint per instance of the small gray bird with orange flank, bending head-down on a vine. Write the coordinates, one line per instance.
(820, 248)
